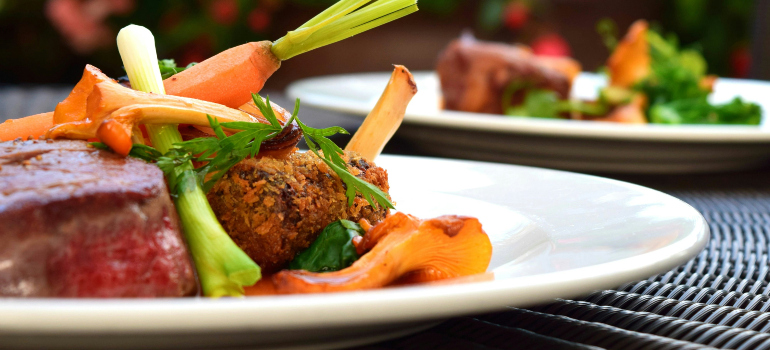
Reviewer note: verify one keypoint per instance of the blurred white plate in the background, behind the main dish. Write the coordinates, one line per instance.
(565, 144)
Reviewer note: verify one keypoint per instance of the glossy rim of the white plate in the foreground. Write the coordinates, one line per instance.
(170, 315)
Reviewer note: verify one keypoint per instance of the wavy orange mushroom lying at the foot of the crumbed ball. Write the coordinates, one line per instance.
(403, 248)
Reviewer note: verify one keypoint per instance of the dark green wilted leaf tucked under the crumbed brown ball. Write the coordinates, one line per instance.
(333, 250)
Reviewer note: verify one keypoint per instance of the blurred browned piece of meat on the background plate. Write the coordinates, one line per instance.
(474, 74)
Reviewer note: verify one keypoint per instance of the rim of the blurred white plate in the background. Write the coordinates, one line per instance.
(538, 126)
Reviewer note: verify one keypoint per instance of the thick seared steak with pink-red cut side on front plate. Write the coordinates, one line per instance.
(79, 222)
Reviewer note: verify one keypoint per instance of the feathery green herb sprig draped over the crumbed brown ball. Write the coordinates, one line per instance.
(220, 153)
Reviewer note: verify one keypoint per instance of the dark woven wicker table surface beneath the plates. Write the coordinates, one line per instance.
(720, 299)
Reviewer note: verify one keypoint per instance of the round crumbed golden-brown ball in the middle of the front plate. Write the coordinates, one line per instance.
(274, 208)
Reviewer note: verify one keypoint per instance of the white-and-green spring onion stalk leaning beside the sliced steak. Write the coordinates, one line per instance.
(223, 268)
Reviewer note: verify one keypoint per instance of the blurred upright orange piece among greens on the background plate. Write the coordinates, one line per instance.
(630, 62)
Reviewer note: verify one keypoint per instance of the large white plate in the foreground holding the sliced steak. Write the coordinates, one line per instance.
(555, 234)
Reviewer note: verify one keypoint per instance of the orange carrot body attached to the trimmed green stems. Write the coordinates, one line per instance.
(228, 78)
